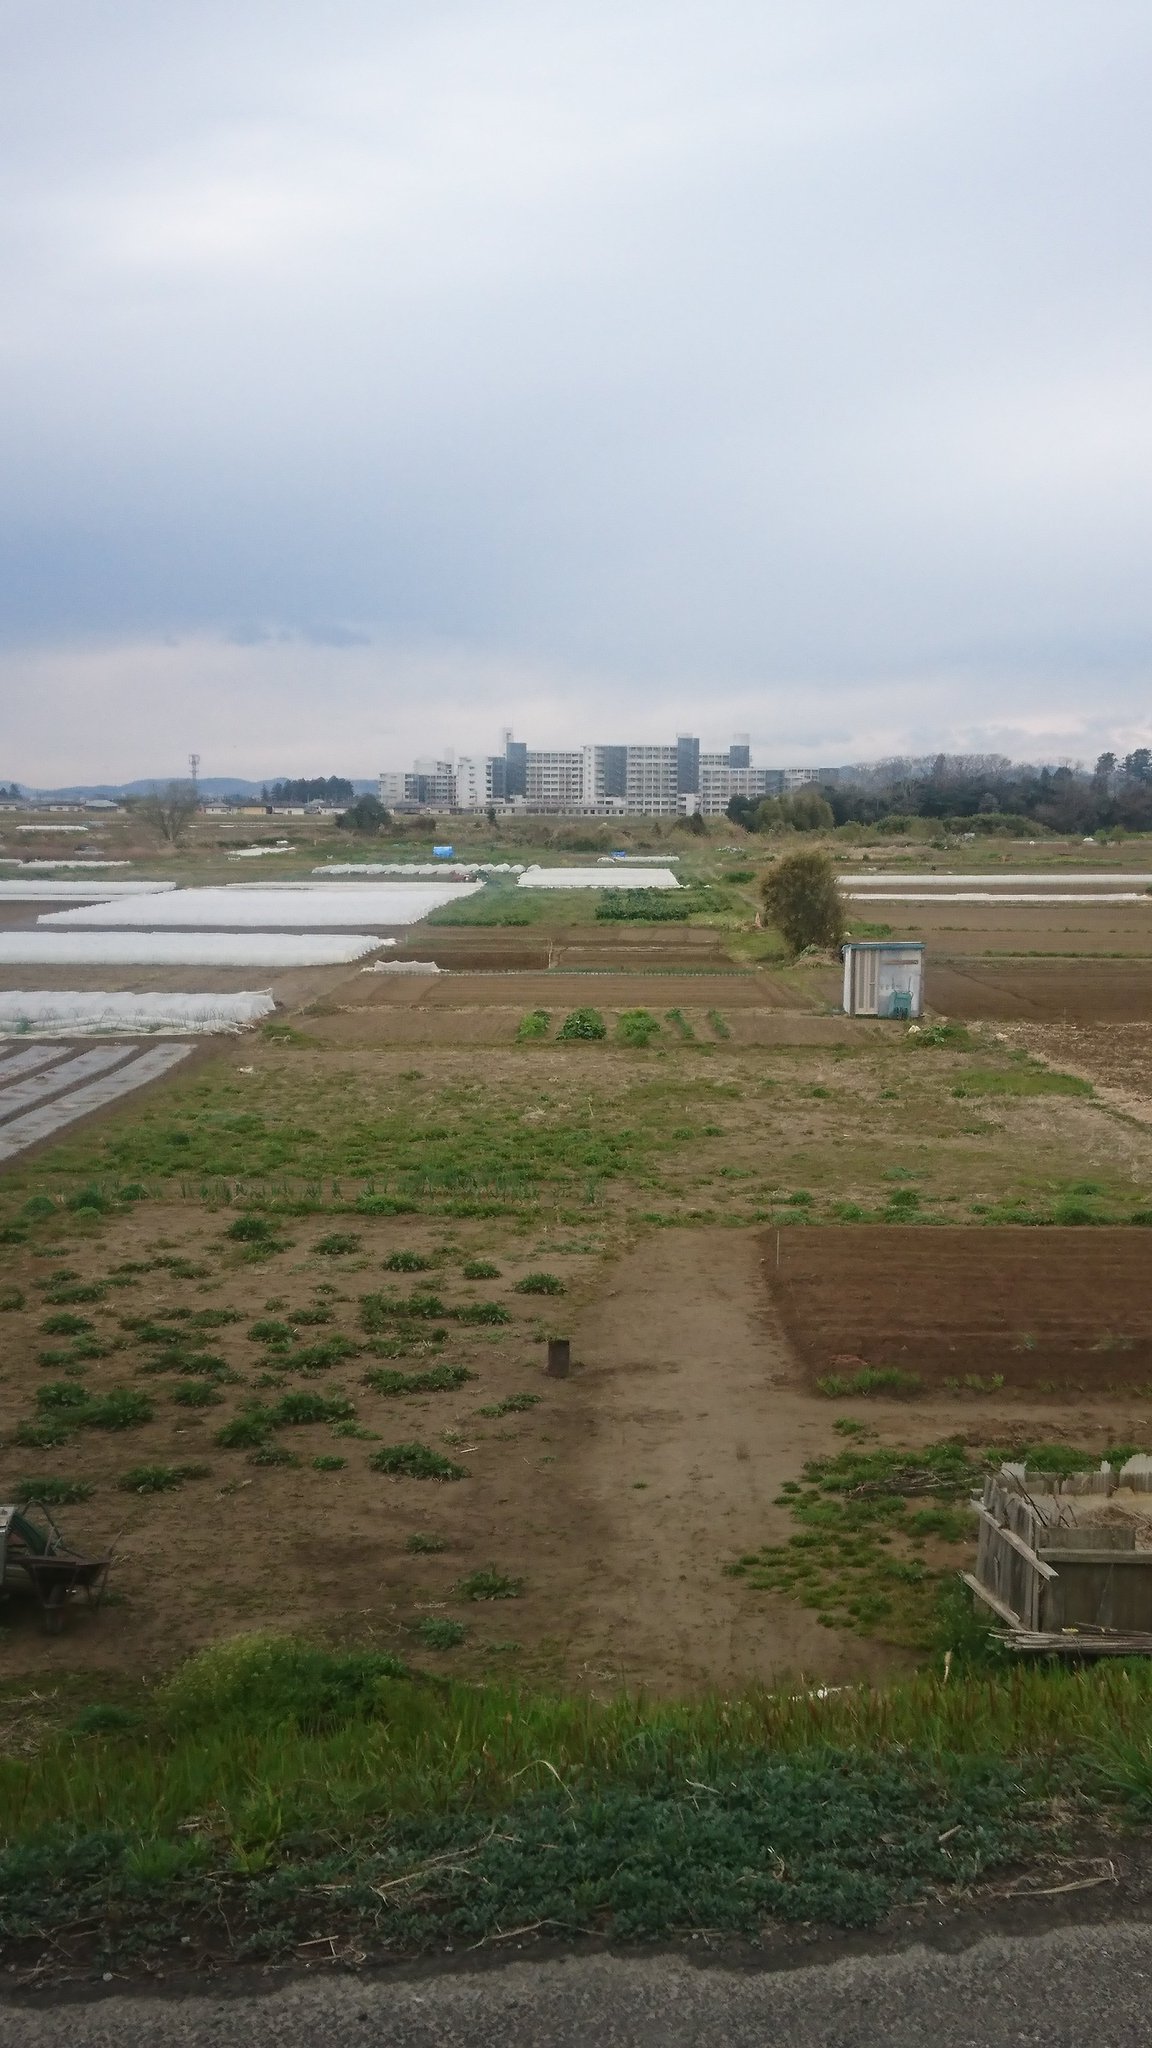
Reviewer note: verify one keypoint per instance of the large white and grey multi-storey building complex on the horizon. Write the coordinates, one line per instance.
(649, 781)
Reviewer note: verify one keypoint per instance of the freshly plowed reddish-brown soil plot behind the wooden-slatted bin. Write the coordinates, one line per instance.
(1057, 1310)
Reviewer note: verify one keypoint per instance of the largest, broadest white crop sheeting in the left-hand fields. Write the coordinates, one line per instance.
(265, 910)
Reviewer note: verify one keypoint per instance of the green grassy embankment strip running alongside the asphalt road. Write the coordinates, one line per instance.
(274, 1795)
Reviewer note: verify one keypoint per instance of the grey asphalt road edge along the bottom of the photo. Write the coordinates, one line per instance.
(1075, 1986)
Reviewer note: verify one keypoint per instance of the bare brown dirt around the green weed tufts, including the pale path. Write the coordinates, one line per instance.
(618, 1498)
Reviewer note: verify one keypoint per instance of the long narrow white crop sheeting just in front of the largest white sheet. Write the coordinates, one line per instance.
(186, 949)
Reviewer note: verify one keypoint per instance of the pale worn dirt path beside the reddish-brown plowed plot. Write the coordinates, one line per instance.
(694, 1418)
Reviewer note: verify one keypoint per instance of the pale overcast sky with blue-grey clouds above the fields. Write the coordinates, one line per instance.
(376, 376)
